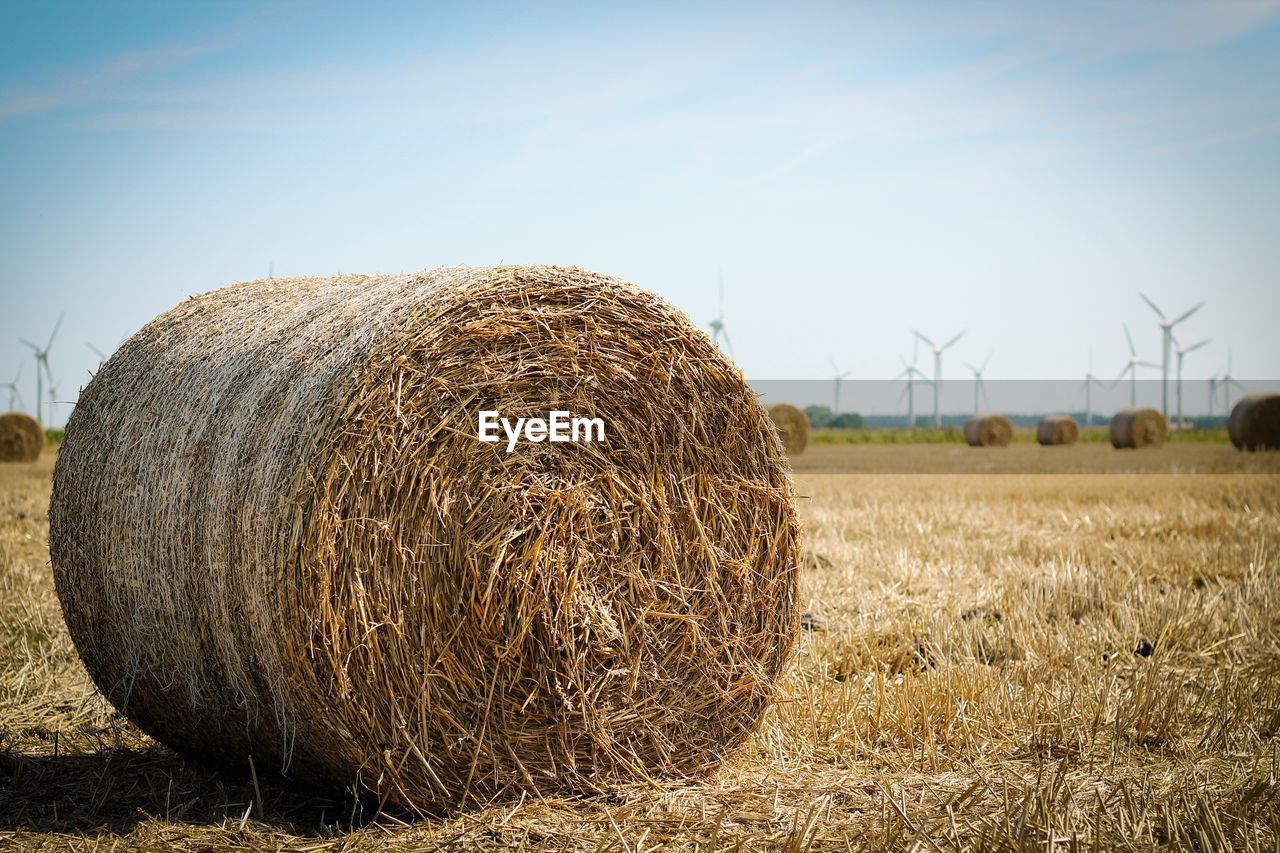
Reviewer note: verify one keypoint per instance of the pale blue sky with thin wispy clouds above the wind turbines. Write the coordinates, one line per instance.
(854, 170)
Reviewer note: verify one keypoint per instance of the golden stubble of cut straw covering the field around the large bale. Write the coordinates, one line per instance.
(1008, 662)
